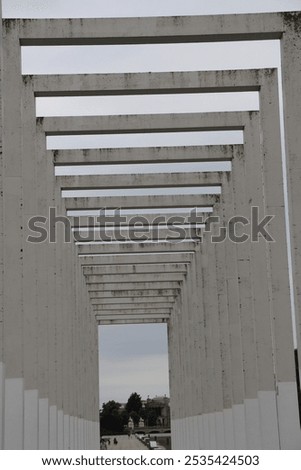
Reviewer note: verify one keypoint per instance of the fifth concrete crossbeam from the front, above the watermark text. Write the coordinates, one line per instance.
(140, 180)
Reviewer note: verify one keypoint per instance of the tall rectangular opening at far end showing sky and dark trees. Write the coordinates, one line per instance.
(134, 360)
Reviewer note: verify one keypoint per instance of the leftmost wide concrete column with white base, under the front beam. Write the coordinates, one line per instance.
(12, 241)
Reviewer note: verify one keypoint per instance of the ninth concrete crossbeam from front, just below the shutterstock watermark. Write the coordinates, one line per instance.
(143, 248)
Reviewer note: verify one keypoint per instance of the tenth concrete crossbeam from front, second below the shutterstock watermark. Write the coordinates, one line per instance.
(134, 260)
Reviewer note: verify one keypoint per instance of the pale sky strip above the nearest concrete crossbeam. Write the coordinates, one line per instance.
(118, 8)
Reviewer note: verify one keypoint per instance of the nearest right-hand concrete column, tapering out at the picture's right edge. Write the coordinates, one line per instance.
(290, 57)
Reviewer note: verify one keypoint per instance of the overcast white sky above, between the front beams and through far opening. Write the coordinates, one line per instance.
(134, 358)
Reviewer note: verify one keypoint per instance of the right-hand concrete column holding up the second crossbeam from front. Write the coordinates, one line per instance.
(277, 272)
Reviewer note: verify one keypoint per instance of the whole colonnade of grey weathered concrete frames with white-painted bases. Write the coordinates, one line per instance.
(200, 244)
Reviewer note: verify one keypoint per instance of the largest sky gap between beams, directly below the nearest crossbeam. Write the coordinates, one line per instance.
(131, 58)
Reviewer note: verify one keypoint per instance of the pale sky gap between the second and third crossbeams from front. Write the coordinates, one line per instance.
(147, 104)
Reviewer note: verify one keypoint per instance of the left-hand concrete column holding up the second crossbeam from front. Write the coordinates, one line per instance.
(31, 269)
